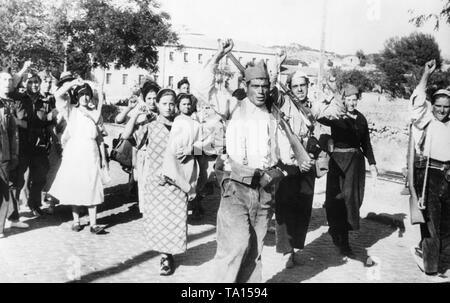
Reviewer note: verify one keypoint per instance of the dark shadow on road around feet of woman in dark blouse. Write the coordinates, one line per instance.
(321, 254)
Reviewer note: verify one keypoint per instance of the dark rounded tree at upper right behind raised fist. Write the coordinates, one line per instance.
(403, 59)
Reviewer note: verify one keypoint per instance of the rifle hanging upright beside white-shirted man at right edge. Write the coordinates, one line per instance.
(415, 213)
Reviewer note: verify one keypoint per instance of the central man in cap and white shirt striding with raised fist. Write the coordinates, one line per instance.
(251, 145)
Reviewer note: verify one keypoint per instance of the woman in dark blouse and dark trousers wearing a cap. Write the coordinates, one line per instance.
(347, 170)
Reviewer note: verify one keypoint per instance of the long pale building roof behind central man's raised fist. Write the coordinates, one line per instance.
(204, 42)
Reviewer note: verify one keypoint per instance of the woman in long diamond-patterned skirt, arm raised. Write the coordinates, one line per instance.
(163, 204)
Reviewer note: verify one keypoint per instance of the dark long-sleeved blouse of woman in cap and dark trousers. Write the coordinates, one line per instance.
(351, 133)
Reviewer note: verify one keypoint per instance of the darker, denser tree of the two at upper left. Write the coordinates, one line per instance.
(123, 36)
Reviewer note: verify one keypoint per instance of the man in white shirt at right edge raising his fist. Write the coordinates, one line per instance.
(432, 133)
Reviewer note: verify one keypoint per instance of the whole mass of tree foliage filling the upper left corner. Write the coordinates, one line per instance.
(99, 32)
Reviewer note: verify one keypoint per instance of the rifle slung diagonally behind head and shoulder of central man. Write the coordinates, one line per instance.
(299, 150)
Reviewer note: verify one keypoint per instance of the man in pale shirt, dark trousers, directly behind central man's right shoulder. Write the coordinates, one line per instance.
(294, 197)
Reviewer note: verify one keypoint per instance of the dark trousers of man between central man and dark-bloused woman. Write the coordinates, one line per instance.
(293, 207)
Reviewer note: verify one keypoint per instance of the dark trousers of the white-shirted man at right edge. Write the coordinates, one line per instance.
(436, 231)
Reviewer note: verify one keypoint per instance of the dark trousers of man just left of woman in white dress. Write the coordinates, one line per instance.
(38, 164)
